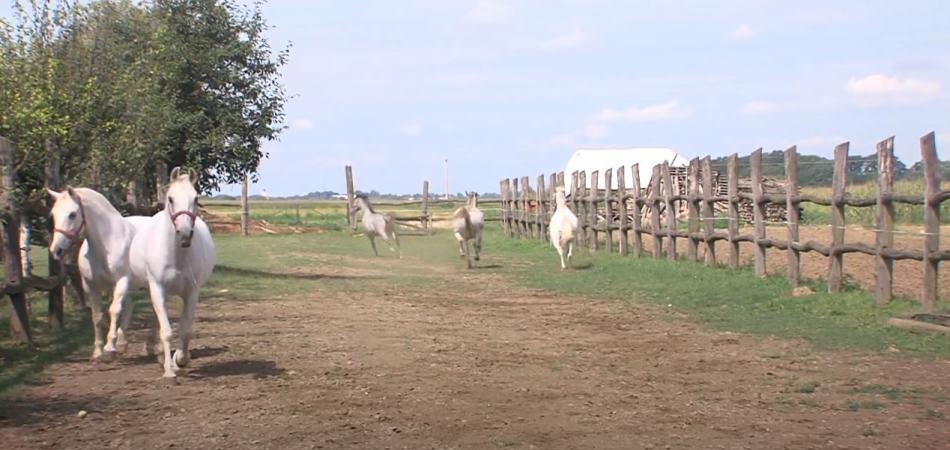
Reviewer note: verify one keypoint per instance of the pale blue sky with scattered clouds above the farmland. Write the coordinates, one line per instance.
(505, 88)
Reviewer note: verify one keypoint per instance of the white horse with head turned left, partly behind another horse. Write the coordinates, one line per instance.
(103, 258)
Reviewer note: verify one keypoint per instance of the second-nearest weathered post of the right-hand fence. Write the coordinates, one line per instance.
(884, 221)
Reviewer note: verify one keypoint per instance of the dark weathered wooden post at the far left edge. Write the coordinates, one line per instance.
(10, 233)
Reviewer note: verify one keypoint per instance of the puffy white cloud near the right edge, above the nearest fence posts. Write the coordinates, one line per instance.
(879, 89)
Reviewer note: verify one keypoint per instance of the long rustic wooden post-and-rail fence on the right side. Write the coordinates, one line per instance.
(605, 212)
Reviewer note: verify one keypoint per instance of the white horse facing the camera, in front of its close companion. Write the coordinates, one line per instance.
(174, 254)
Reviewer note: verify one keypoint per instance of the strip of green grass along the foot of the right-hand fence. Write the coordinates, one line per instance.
(724, 299)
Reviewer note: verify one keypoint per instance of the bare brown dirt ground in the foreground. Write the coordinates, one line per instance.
(450, 365)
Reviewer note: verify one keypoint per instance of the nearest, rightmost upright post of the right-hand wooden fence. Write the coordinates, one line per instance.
(932, 169)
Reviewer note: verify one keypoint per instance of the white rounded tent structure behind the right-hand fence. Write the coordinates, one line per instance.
(603, 159)
